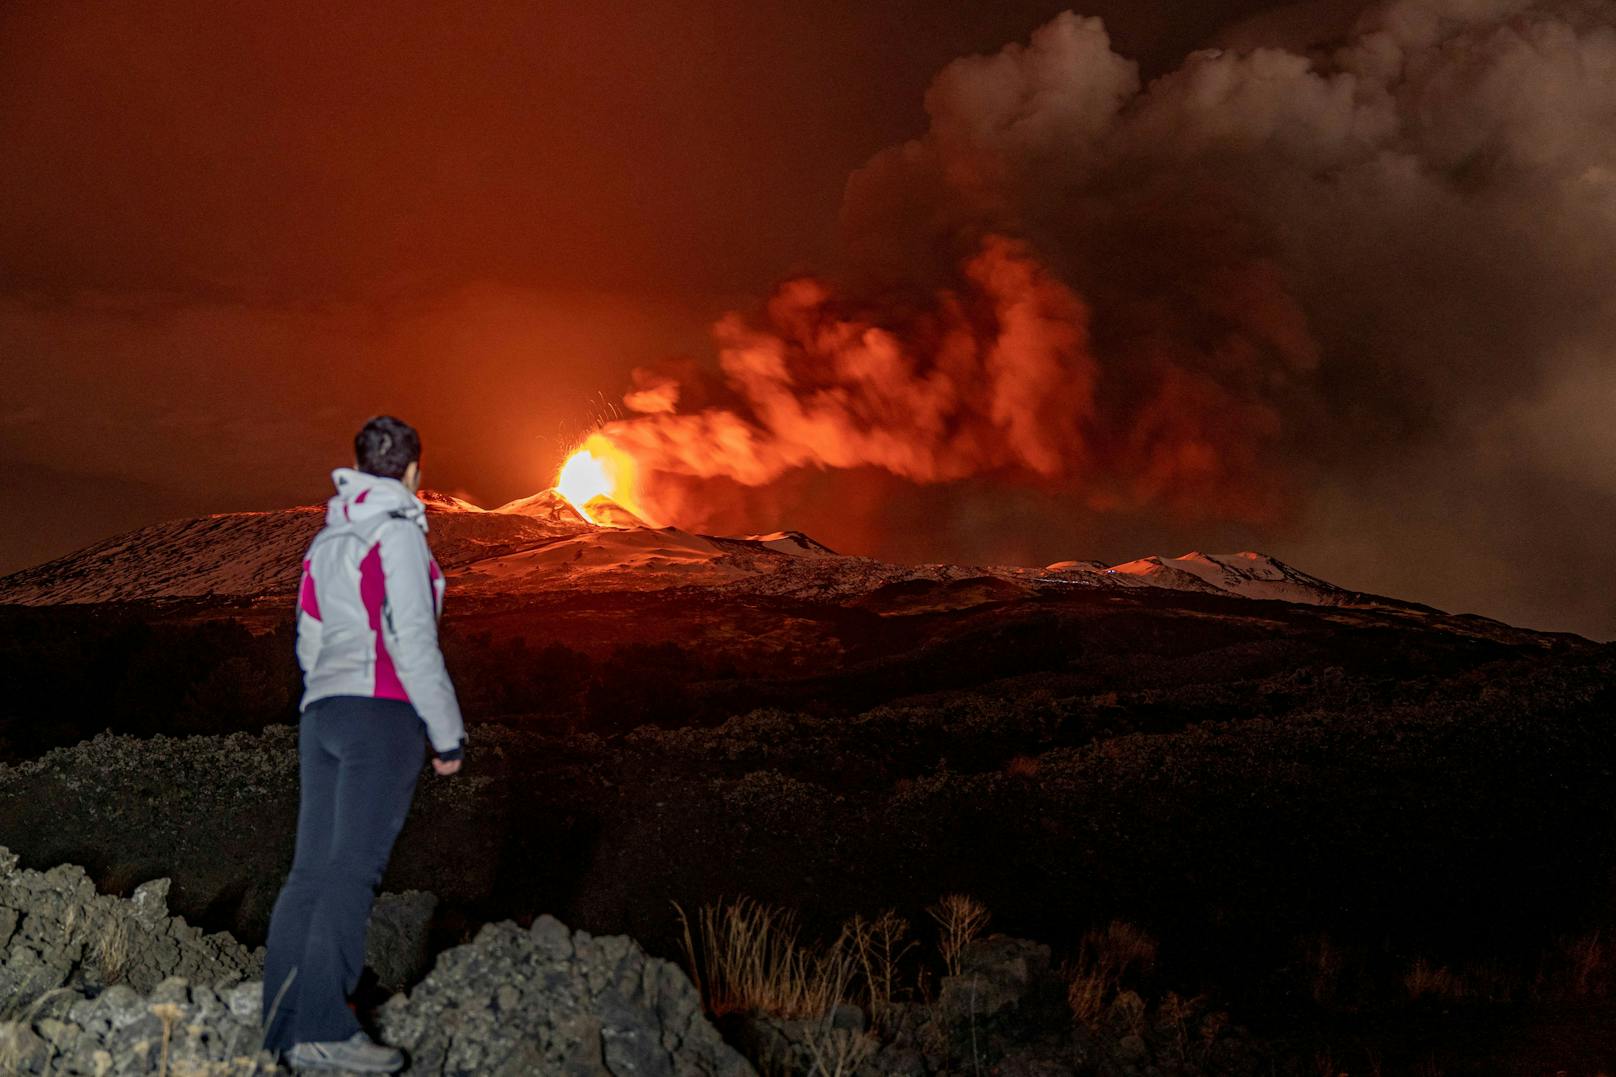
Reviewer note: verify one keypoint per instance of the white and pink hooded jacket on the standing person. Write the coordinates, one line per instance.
(369, 602)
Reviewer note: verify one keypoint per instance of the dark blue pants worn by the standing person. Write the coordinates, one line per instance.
(358, 761)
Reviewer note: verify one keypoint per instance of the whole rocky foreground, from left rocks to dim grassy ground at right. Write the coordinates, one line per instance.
(107, 987)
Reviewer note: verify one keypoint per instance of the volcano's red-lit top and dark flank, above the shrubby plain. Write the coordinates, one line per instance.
(562, 622)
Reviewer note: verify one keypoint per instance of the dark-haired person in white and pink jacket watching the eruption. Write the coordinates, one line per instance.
(376, 696)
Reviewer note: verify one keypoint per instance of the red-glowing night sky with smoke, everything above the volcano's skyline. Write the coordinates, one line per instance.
(1347, 300)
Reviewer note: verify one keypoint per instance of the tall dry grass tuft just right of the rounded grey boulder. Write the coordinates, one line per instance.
(751, 961)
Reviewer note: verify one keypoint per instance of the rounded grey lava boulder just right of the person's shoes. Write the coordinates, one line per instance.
(550, 1002)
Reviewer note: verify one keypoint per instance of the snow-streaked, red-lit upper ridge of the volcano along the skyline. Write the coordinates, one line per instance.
(542, 543)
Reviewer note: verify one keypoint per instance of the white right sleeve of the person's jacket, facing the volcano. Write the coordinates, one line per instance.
(411, 630)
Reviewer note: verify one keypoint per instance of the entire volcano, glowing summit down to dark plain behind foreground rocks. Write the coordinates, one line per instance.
(1221, 748)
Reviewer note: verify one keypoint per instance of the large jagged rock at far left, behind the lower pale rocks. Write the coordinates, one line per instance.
(57, 932)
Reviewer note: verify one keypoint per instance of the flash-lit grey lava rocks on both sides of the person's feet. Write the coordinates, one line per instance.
(109, 987)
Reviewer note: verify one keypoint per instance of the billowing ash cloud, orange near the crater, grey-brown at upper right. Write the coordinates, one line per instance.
(1340, 287)
